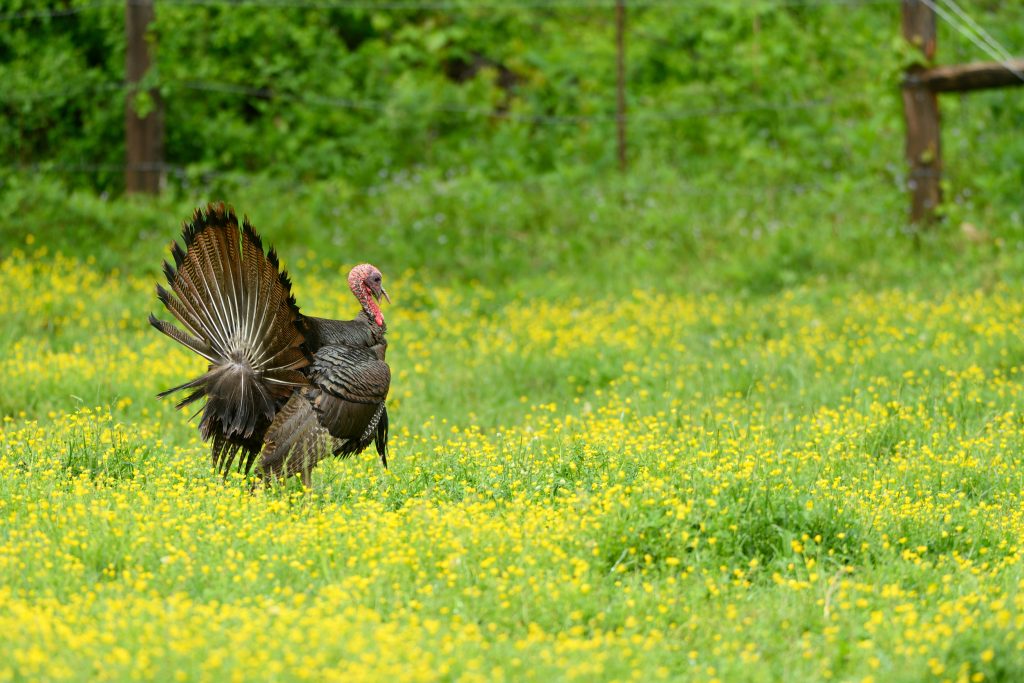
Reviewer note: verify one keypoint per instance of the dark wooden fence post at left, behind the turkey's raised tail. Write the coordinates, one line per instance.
(144, 136)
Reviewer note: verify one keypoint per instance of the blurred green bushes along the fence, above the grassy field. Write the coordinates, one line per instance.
(506, 90)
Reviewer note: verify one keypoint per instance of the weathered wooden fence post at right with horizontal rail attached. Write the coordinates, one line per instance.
(921, 107)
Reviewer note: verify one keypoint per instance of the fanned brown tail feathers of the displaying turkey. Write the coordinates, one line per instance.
(237, 307)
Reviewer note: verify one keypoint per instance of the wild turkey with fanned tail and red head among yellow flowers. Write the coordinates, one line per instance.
(281, 386)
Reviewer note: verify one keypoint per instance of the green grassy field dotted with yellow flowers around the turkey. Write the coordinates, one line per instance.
(773, 451)
